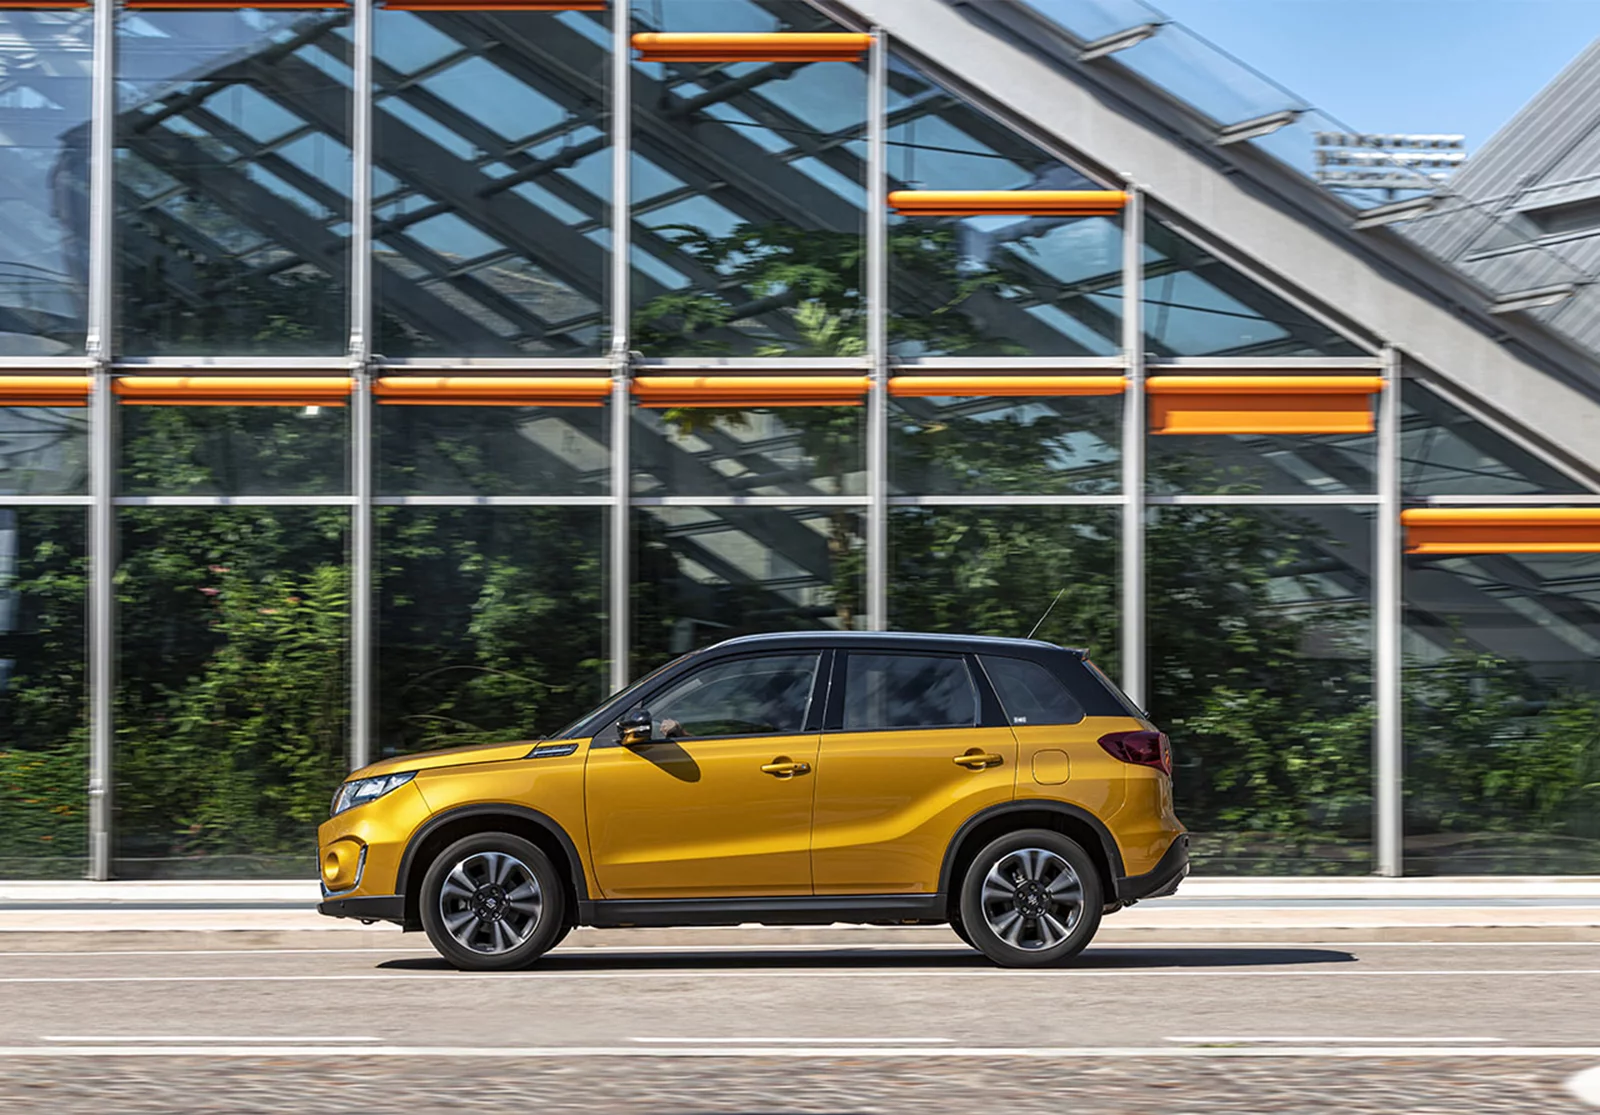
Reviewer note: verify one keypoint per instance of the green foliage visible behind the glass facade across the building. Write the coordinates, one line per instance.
(231, 705)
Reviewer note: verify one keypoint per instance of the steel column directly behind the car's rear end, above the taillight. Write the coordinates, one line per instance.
(1134, 661)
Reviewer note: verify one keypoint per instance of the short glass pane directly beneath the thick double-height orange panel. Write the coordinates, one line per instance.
(1282, 465)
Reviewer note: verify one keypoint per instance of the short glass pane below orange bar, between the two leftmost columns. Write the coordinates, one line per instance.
(234, 450)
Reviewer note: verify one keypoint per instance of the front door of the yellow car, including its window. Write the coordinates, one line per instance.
(718, 804)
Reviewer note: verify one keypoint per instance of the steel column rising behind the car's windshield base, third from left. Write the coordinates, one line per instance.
(622, 361)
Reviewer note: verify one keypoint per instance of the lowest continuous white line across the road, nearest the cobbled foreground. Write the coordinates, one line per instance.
(1345, 1052)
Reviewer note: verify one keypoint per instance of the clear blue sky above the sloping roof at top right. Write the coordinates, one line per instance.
(1462, 66)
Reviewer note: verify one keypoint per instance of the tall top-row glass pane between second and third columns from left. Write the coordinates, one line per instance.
(492, 183)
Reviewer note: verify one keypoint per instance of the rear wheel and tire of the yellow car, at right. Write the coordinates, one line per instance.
(1031, 900)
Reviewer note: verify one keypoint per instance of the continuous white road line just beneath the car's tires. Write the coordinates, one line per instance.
(809, 973)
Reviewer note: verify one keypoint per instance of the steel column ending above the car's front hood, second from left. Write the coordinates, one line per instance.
(362, 526)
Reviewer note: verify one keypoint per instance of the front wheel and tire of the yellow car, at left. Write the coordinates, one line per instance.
(494, 903)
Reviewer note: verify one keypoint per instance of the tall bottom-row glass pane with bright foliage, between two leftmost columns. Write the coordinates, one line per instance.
(233, 690)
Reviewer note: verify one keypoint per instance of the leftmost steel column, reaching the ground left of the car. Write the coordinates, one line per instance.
(103, 527)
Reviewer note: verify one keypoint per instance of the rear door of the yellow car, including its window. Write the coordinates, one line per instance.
(911, 749)
